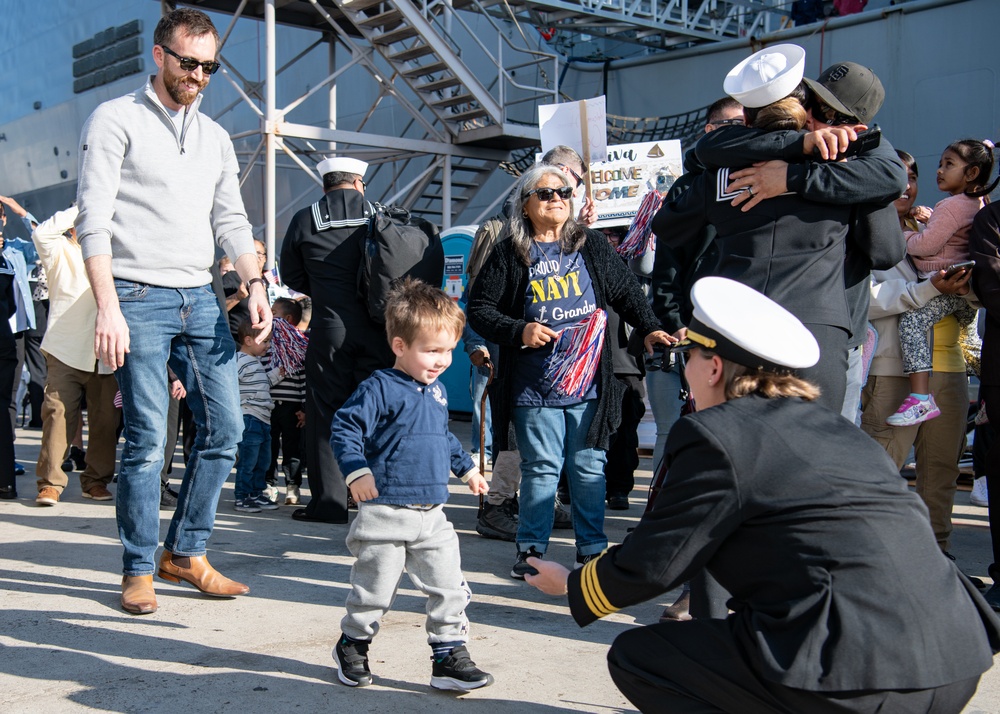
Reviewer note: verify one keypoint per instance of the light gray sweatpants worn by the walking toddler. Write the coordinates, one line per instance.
(387, 539)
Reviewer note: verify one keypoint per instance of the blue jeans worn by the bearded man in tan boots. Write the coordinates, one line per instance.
(186, 327)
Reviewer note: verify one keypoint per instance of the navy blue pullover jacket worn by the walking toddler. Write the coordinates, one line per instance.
(397, 428)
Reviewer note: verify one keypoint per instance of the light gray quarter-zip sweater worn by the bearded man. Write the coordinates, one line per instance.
(157, 200)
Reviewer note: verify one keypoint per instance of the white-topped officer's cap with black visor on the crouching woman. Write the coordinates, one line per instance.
(743, 326)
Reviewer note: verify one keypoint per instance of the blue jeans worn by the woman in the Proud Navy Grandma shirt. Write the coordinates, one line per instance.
(548, 438)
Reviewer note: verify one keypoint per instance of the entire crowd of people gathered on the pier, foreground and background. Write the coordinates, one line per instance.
(809, 321)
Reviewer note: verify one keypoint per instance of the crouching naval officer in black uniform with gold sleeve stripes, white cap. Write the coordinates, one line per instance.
(841, 599)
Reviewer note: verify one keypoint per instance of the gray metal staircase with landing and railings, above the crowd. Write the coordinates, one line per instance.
(431, 49)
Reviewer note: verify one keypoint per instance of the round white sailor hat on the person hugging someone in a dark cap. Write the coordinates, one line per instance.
(766, 76)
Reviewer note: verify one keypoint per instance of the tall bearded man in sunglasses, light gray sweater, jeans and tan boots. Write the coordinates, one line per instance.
(158, 190)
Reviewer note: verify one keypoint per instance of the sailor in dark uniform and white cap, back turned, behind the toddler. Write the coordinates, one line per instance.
(320, 257)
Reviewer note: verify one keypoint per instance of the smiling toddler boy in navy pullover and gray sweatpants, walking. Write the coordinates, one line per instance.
(391, 441)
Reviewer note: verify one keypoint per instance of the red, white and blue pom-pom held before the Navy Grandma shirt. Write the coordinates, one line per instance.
(576, 356)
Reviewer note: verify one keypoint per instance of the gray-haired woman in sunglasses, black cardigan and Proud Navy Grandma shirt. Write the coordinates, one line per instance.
(550, 275)
